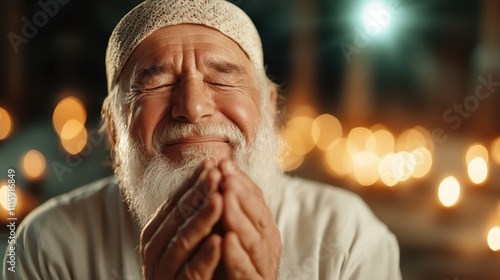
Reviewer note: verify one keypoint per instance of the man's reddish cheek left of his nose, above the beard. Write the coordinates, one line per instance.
(145, 116)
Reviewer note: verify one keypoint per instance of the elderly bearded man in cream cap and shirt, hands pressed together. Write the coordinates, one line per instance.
(198, 192)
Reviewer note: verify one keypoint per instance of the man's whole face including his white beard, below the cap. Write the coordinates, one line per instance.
(190, 94)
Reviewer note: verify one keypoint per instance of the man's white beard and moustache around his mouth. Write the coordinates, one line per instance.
(147, 182)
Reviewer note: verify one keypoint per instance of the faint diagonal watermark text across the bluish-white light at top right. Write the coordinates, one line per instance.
(375, 19)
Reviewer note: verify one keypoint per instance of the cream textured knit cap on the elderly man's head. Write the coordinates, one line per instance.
(152, 15)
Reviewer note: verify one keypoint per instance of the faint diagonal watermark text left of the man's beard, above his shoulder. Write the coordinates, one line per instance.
(95, 138)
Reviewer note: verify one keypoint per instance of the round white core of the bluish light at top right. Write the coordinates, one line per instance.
(376, 18)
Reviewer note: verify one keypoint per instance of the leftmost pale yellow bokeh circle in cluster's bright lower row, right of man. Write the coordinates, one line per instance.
(365, 168)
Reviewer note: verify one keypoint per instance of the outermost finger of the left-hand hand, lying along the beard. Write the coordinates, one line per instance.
(169, 203)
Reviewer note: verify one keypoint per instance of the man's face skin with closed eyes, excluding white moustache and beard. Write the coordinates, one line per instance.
(194, 75)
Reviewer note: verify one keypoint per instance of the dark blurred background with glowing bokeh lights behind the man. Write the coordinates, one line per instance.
(396, 100)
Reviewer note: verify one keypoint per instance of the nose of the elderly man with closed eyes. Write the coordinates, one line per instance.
(192, 101)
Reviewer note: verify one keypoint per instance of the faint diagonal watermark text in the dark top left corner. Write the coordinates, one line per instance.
(30, 28)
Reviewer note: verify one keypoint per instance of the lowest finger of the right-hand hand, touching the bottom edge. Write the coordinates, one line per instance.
(238, 263)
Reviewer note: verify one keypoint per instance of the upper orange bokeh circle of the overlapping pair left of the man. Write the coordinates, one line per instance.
(67, 109)
